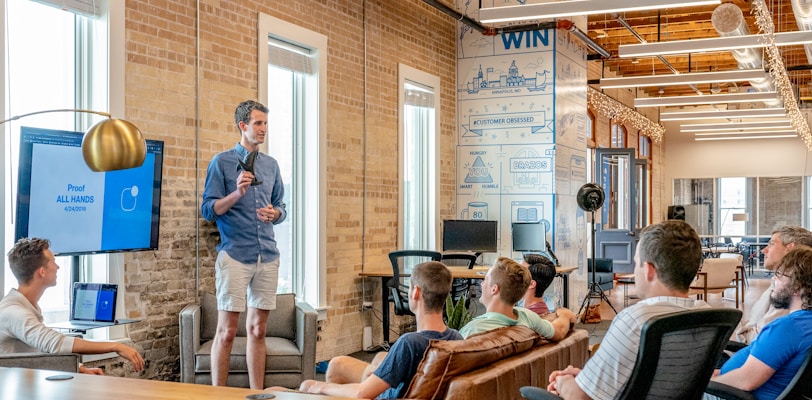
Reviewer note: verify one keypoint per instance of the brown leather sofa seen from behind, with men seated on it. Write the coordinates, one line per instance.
(494, 364)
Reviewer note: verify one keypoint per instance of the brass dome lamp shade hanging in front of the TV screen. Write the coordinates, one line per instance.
(113, 144)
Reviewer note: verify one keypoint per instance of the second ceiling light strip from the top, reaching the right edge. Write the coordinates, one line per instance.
(711, 44)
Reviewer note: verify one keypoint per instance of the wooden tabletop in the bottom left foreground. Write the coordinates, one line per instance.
(30, 384)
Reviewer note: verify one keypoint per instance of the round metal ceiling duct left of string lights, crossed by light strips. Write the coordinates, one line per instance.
(728, 20)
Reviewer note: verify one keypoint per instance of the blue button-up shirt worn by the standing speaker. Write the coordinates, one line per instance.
(242, 235)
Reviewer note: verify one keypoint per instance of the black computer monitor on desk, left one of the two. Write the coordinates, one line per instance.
(469, 235)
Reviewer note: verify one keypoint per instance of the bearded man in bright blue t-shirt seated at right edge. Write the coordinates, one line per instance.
(769, 363)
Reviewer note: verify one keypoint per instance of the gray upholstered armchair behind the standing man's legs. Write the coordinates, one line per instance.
(290, 341)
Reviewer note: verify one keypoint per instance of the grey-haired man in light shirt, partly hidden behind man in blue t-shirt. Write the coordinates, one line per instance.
(763, 311)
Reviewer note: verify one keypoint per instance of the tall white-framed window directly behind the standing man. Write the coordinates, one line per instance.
(292, 84)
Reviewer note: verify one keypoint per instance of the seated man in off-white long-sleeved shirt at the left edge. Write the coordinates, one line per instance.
(21, 327)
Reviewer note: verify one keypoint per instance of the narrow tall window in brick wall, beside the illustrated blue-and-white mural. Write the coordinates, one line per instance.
(418, 124)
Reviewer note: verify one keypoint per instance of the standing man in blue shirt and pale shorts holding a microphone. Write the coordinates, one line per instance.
(243, 196)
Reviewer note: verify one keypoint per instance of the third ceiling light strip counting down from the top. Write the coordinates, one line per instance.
(684, 79)
